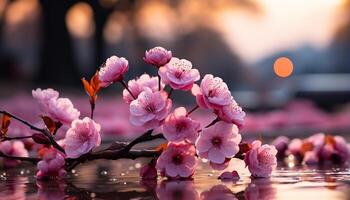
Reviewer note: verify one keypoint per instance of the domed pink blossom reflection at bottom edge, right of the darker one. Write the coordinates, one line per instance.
(218, 192)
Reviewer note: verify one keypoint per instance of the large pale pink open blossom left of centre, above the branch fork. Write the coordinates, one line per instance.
(150, 108)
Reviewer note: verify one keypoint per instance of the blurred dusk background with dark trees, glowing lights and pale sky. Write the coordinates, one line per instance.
(47, 43)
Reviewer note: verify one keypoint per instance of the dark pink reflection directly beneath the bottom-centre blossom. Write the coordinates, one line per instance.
(177, 190)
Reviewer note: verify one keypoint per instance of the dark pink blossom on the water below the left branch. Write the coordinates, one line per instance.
(52, 164)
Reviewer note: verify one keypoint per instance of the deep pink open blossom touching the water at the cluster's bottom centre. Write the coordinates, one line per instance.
(177, 161)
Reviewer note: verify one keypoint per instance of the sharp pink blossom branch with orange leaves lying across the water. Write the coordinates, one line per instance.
(151, 108)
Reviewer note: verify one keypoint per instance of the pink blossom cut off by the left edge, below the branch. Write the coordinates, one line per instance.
(13, 148)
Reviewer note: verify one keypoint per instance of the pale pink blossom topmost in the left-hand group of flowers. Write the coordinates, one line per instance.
(43, 97)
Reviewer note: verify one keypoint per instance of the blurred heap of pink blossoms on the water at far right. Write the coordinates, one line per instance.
(317, 149)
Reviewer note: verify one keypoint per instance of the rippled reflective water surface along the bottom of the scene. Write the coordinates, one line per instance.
(296, 183)
